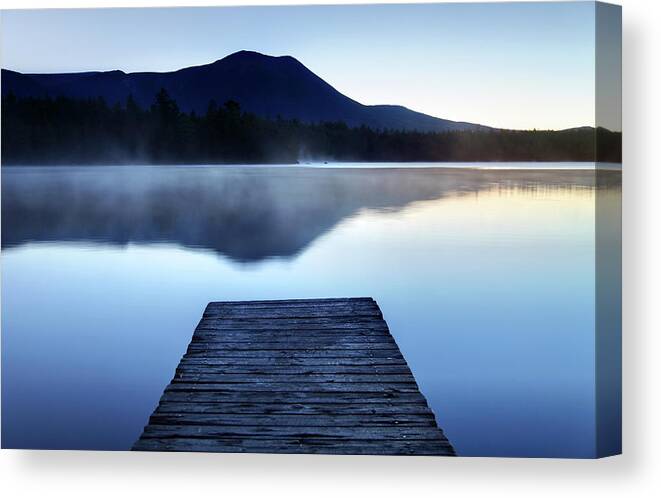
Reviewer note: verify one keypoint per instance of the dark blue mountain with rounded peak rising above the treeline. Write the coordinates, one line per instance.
(265, 85)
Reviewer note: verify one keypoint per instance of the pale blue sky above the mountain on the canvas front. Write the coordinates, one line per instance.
(510, 65)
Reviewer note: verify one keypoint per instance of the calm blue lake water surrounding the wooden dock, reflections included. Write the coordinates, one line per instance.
(485, 277)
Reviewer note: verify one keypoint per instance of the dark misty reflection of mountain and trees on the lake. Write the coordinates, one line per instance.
(245, 213)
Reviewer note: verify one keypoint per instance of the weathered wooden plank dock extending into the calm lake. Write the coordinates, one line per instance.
(295, 376)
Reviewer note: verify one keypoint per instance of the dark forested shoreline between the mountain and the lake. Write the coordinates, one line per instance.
(69, 131)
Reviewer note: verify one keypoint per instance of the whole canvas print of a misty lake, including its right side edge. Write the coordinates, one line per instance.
(340, 229)
